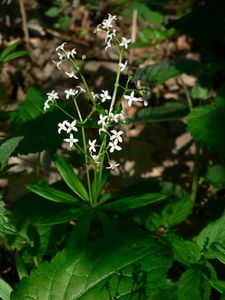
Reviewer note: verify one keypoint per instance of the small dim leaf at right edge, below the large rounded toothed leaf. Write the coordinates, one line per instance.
(216, 176)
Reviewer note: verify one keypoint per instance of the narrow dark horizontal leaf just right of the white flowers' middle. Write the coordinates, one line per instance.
(167, 112)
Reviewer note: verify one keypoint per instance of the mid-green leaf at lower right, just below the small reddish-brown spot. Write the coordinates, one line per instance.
(185, 252)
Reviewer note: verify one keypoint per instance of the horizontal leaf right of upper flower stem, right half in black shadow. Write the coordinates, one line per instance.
(160, 72)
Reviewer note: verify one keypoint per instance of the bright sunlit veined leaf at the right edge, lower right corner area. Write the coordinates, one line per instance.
(213, 232)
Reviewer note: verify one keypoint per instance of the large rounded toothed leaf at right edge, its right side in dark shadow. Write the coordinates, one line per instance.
(207, 126)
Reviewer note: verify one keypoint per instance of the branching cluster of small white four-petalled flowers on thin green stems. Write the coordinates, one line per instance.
(110, 138)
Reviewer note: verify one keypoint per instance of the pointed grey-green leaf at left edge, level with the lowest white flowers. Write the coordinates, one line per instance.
(7, 148)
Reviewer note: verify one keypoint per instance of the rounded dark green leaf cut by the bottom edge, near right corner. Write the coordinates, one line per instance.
(193, 284)
